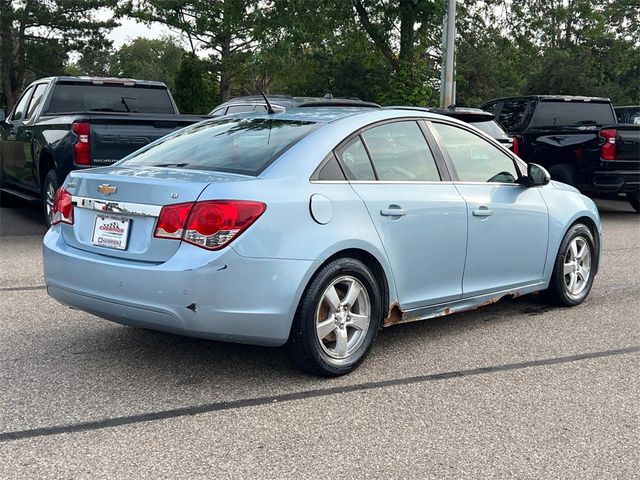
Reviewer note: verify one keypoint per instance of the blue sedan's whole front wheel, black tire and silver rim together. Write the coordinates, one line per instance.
(574, 268)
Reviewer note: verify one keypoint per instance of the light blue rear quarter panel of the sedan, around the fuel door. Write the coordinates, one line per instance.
(287, 230)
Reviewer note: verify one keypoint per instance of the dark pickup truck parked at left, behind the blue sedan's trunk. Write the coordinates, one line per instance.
(64, 123)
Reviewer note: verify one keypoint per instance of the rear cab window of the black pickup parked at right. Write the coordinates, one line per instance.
(572, 113)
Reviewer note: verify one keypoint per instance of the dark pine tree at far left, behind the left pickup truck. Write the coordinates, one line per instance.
(28, 26)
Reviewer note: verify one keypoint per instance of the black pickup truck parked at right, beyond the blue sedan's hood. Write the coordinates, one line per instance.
(578, 139)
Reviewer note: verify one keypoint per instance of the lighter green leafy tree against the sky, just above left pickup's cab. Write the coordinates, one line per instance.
(149, 59)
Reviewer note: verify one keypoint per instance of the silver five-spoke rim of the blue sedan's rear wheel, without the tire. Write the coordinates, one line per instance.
(342, 317)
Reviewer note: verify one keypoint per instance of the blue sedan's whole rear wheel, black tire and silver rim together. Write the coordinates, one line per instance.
(337, 319)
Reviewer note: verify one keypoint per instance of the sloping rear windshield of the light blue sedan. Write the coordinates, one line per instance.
(236, 145)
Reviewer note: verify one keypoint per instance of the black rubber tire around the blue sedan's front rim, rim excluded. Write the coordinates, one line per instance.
(558, 286)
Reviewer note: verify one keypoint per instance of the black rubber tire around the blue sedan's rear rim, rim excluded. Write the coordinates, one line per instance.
(303, 339)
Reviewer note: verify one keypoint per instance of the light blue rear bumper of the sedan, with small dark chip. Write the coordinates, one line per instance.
(222, 296)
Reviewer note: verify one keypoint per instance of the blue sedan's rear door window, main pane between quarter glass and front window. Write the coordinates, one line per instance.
(400, 152)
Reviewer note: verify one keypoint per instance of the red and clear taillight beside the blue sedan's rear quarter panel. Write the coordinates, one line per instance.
(211, 224)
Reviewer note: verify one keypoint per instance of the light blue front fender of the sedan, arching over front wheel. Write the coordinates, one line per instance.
(565, 207)
